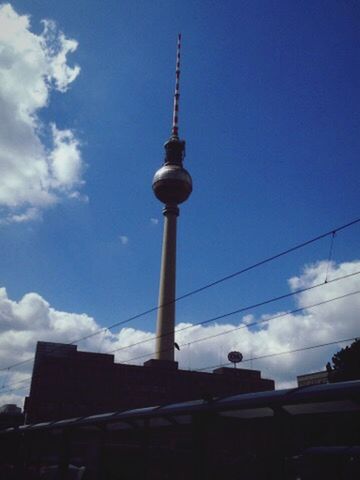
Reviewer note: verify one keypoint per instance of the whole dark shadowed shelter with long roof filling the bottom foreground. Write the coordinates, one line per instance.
(303, 433)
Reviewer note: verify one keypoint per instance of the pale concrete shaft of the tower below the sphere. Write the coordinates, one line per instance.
(166, 312)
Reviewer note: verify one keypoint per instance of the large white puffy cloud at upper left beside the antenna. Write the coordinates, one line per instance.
(39, 164)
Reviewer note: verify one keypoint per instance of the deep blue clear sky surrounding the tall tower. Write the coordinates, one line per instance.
(269, 111)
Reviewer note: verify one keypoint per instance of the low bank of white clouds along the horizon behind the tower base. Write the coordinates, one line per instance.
(32, 318)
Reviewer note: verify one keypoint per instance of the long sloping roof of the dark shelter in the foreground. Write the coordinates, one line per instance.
(313, 399)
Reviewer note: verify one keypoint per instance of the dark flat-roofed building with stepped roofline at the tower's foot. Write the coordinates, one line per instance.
(68, 383)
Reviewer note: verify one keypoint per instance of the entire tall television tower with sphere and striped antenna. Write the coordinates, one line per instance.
(172, 185)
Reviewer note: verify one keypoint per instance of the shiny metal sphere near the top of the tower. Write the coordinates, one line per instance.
(172, 184)
